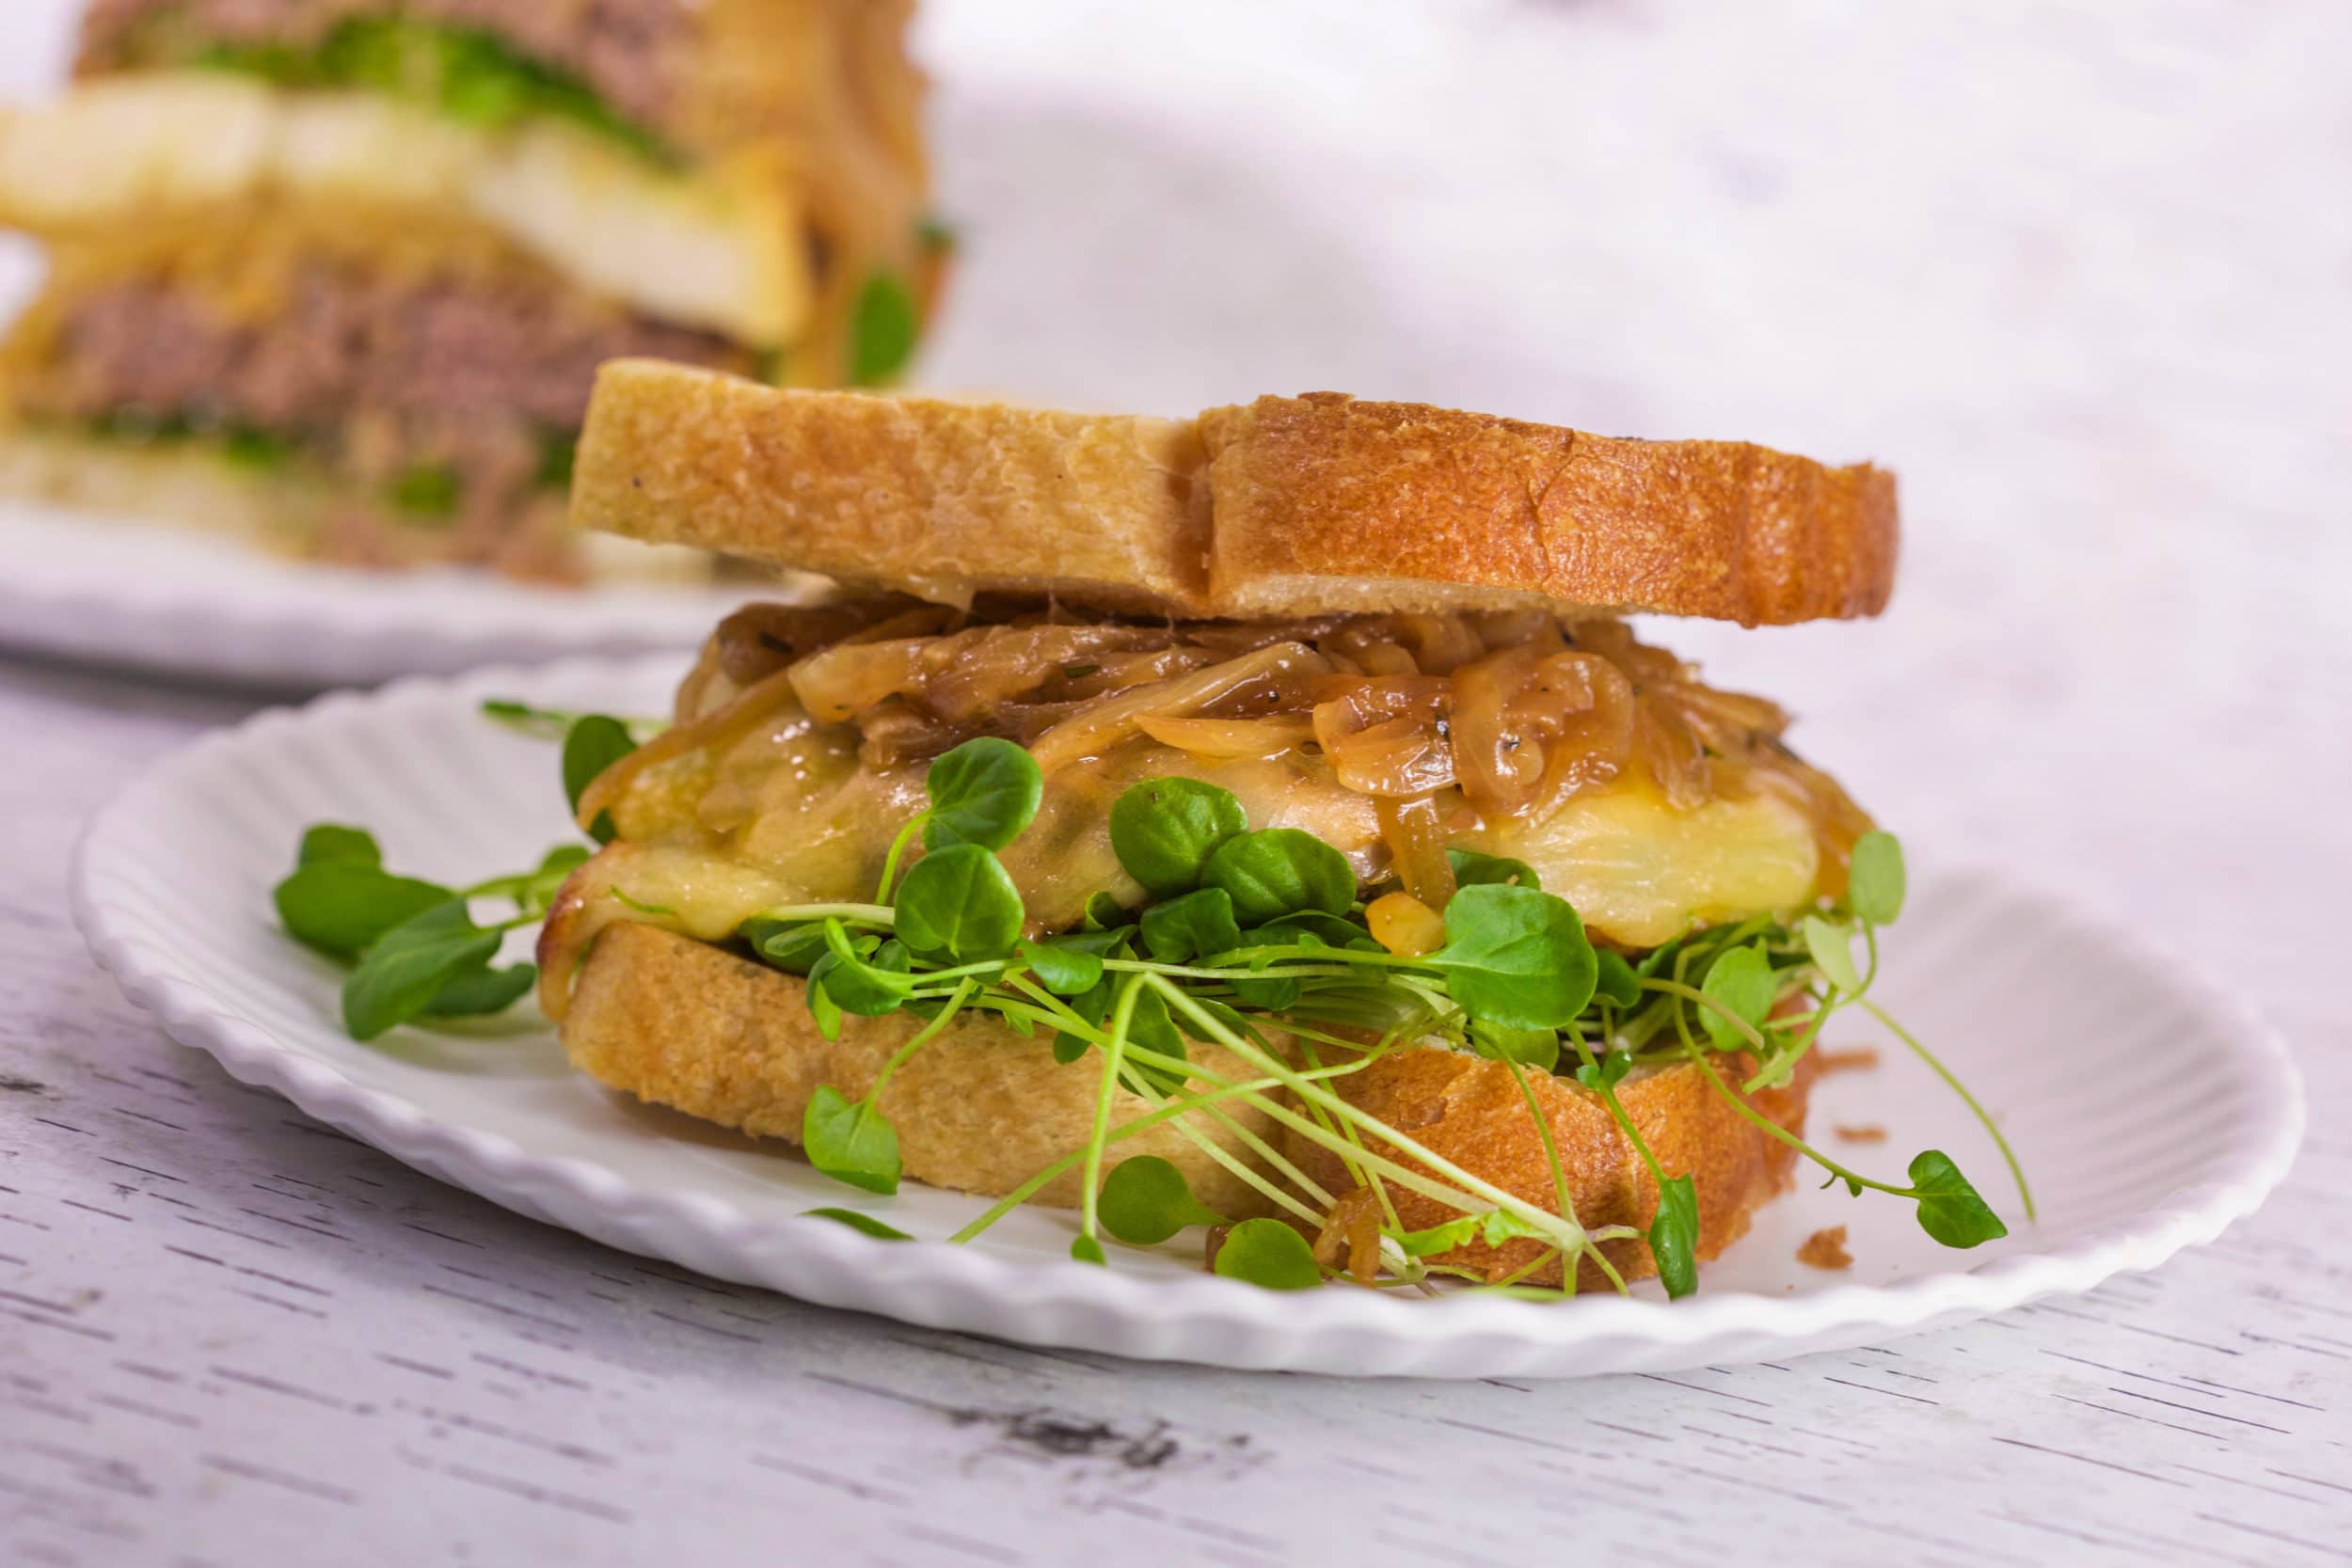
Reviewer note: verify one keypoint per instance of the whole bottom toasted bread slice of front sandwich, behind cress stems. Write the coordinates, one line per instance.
(982, 1111)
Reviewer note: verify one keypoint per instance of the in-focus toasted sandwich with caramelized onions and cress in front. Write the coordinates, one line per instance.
(1259, 822)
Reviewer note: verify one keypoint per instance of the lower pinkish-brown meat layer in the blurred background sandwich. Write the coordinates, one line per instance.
(352, 361)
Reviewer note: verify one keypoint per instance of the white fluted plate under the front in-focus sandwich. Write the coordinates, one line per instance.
(2043, 1010)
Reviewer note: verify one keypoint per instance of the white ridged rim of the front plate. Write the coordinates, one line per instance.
(803, 1257)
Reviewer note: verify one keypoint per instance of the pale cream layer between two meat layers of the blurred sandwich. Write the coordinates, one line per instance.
(716, 246)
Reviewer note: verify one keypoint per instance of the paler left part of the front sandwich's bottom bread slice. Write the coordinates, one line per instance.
(980, 1111)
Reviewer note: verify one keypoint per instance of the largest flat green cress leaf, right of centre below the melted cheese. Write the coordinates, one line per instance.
(1516, 958)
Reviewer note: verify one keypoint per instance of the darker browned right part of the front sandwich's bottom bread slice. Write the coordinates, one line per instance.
(1469, 1111)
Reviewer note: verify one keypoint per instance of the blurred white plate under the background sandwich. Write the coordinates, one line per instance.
(201, 608)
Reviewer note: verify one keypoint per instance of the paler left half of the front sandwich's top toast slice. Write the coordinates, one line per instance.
(940, 497)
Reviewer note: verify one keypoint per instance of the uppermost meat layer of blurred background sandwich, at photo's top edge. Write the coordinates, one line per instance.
(620, 48)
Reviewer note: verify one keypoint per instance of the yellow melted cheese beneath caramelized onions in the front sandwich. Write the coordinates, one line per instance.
(789, 817)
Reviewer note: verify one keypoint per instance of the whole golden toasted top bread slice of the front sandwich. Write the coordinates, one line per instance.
(1288, 507)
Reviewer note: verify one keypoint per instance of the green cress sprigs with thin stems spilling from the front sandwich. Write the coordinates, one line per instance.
(1245, 934)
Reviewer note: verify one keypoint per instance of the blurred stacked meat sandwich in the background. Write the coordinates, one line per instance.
(335, 276)
